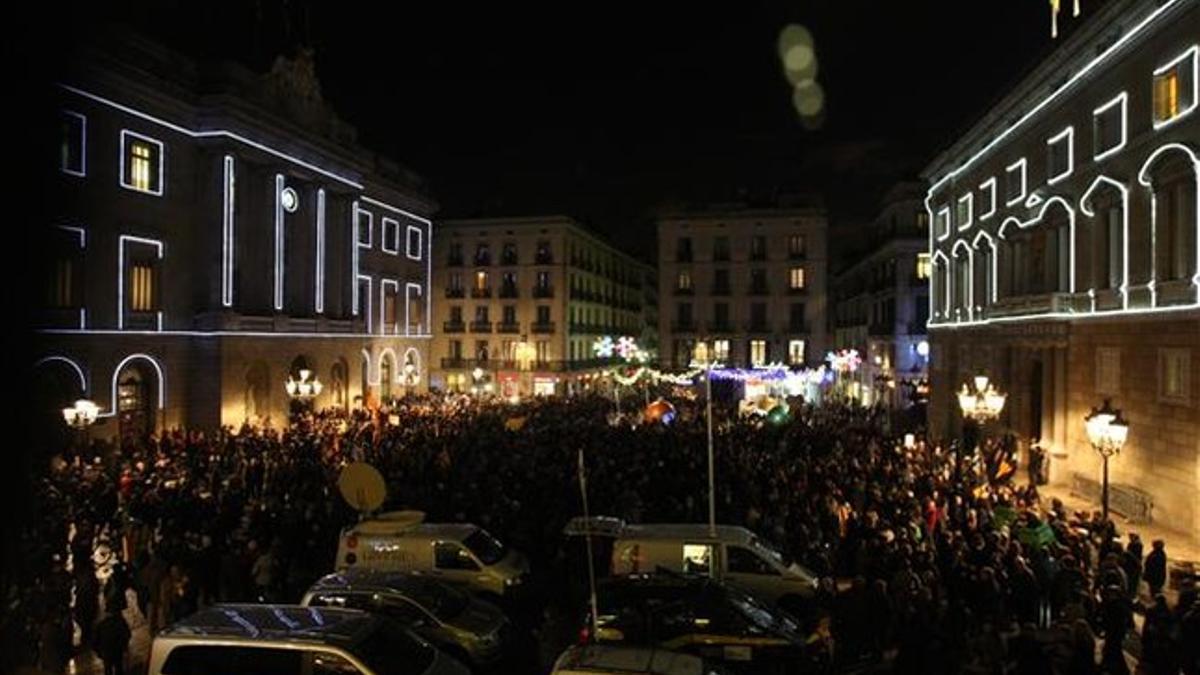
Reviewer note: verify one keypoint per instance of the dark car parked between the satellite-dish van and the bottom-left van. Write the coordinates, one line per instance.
(447, 617)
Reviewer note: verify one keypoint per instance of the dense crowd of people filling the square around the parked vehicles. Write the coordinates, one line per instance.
(934, 563)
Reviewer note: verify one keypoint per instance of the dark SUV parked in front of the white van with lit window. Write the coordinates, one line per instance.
(701, 617)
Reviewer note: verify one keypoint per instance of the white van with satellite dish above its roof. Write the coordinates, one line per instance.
(459, 554)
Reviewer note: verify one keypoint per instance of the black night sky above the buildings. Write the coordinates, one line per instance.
(609, 111)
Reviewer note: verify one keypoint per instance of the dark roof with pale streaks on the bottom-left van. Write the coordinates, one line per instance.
(265, 623)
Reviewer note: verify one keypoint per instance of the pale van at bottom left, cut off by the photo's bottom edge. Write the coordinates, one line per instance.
(255, 638)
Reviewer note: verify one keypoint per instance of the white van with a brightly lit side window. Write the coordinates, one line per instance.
(731, 554)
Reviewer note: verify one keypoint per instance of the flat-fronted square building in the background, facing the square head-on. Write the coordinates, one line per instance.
(748, 283)
